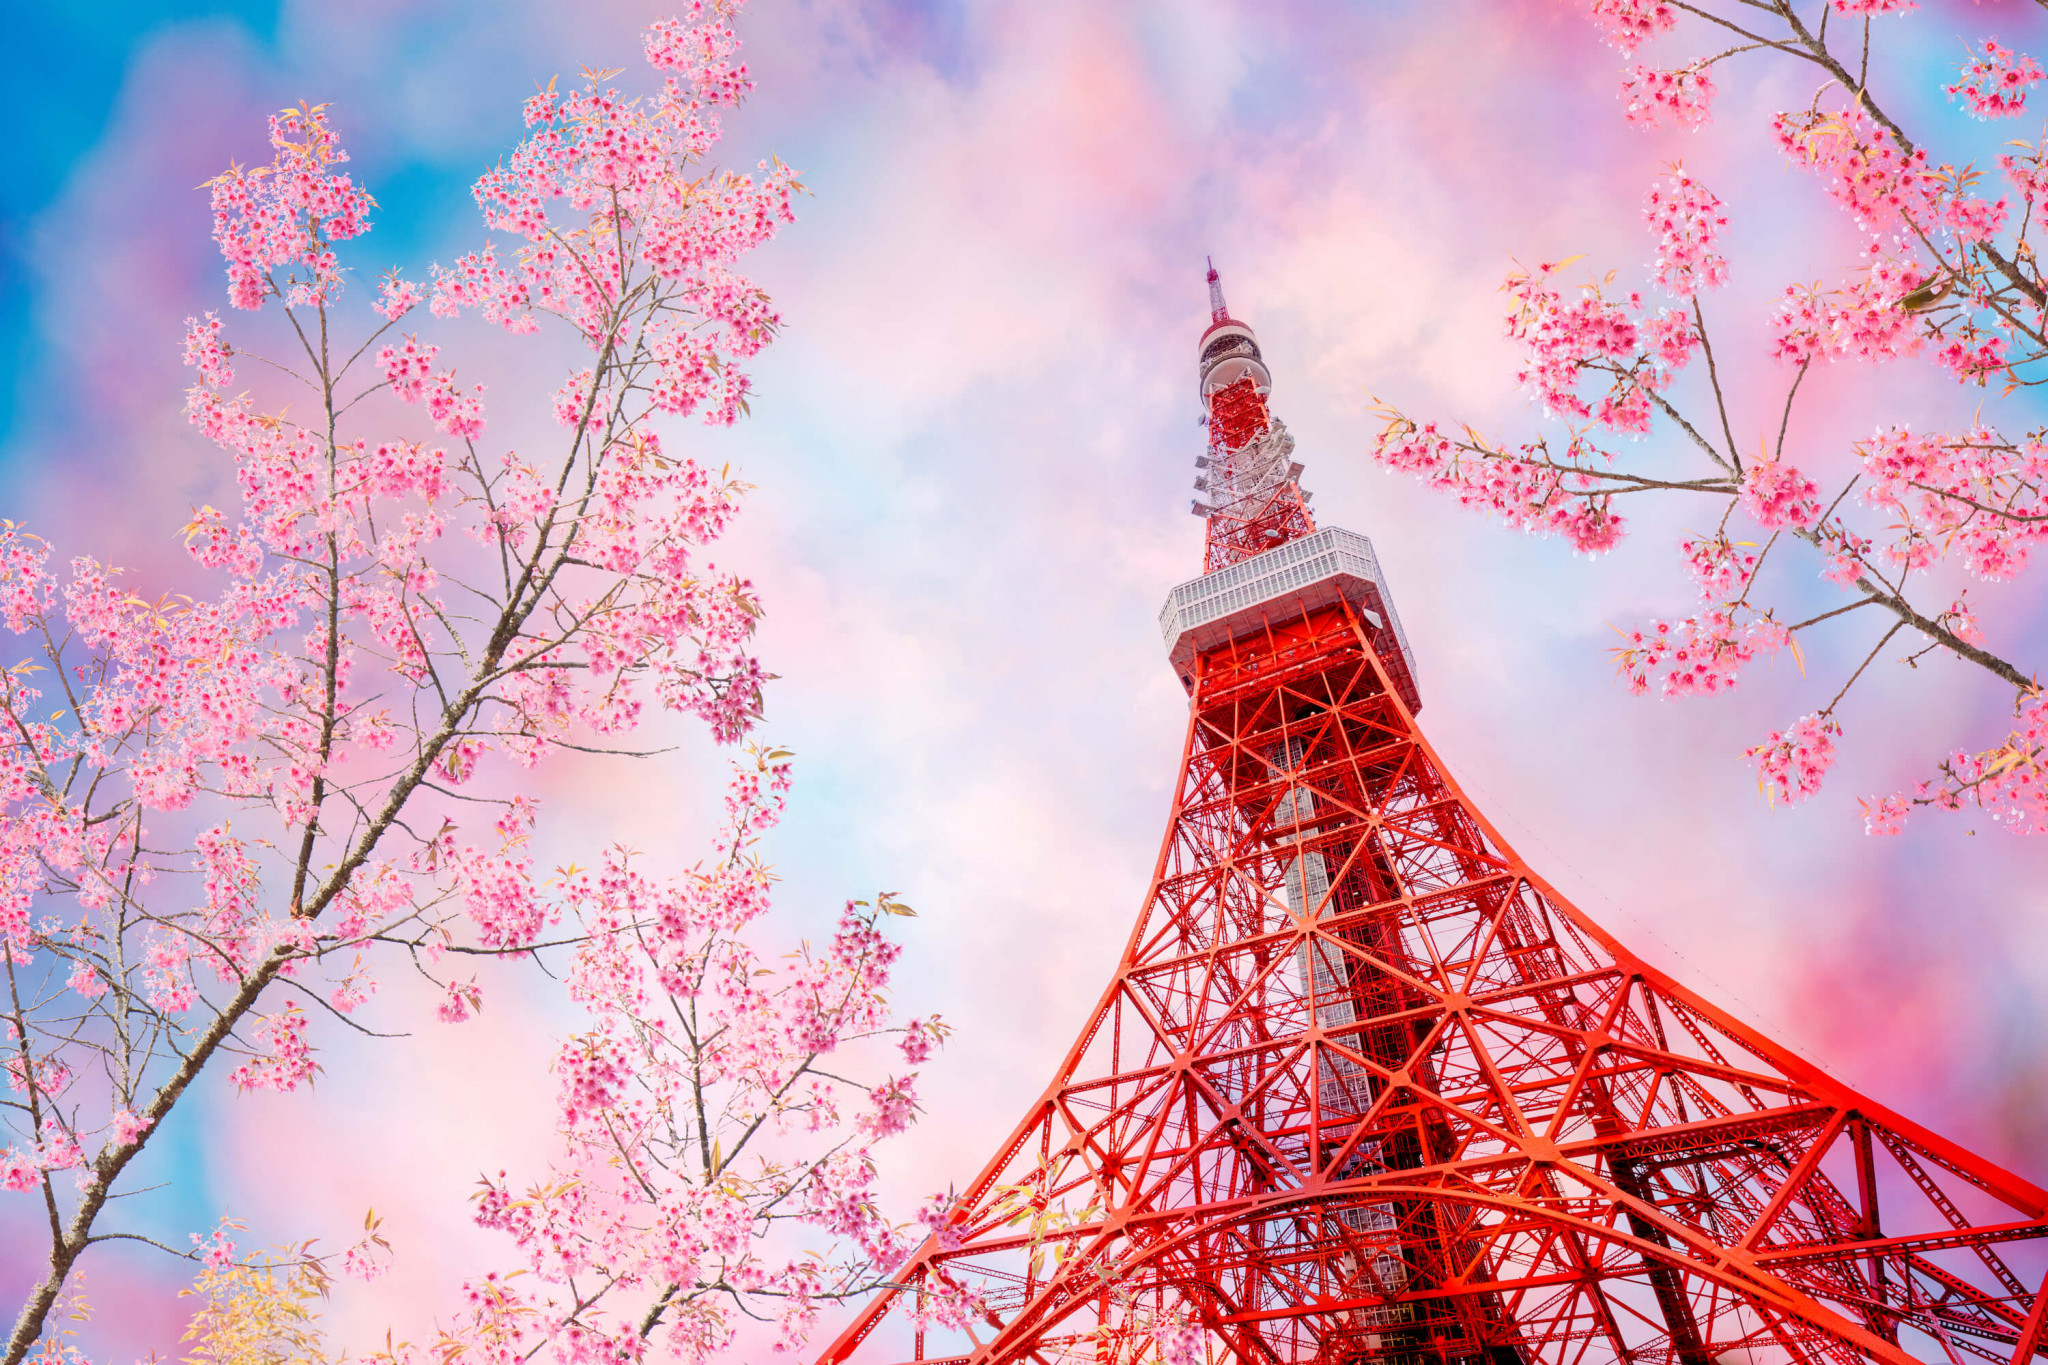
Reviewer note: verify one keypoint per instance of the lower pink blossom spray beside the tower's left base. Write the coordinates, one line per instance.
(669, 1208)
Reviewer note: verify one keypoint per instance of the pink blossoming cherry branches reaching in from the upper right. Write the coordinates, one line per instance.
(1947, 283)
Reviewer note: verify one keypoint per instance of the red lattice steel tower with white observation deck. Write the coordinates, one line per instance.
(1367, 1090)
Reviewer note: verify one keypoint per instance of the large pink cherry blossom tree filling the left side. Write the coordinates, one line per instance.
(228, 818)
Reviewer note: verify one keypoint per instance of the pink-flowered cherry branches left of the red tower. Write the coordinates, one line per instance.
(208, 705)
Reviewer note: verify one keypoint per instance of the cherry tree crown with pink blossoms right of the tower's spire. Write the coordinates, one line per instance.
(1949, 279)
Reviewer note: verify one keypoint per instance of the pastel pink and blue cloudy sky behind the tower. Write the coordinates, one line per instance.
(974, 453)
